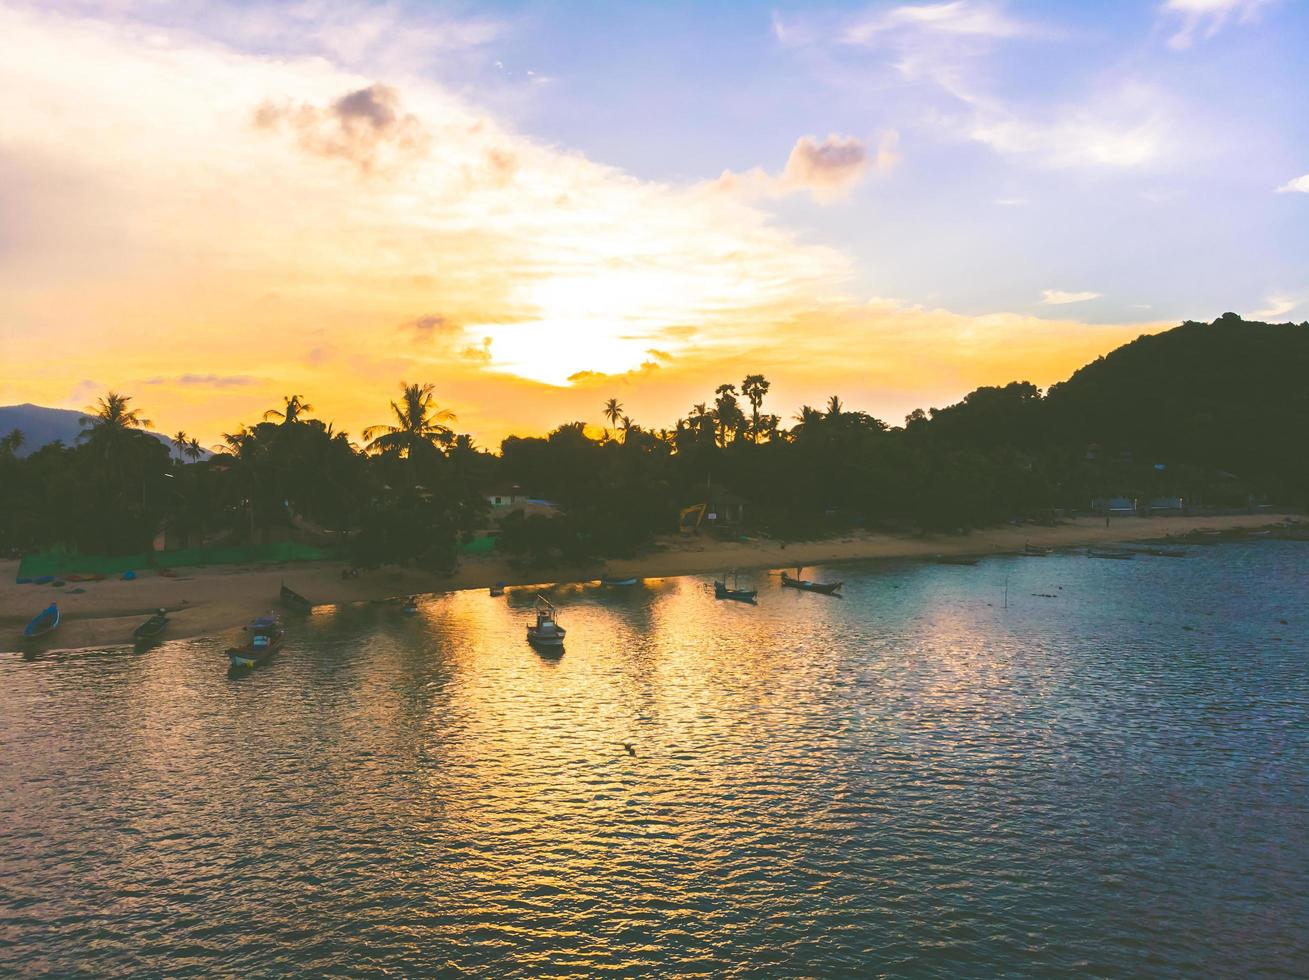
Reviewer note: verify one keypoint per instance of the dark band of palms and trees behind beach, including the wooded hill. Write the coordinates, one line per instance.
(1215, 413)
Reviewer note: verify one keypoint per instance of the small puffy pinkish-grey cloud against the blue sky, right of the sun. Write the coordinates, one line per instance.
(828, 169)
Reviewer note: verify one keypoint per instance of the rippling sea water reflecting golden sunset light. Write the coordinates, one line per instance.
(1108, 775)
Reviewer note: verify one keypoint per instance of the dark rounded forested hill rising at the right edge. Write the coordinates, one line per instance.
(1230, 396)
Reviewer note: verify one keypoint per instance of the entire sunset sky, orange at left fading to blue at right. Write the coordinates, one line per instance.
(211, 205)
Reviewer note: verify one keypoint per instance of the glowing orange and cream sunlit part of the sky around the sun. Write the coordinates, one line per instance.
(210, 231)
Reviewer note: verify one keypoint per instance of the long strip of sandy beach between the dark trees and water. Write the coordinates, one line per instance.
(215, 601)
